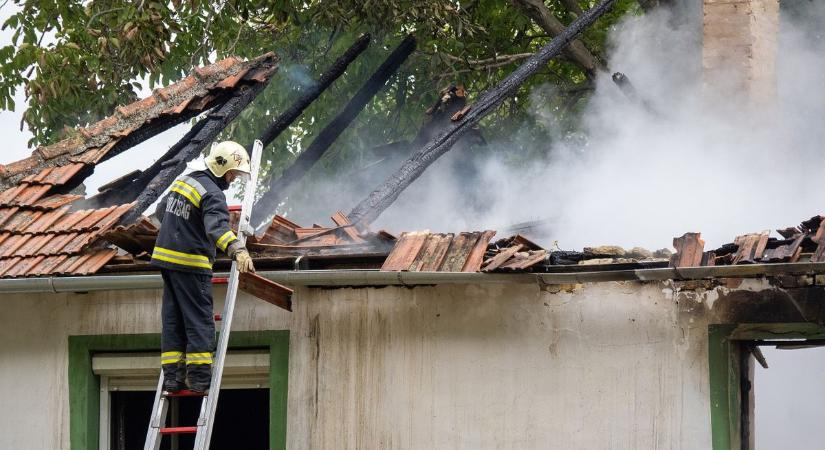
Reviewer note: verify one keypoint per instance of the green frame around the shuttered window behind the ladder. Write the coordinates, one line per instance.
(84, 385)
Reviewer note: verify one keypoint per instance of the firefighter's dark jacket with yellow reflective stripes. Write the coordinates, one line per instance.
(195, 224)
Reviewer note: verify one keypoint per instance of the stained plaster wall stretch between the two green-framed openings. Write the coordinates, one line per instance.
(607, 366)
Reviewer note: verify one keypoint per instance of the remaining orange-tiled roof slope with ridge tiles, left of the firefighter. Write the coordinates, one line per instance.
(43, 231)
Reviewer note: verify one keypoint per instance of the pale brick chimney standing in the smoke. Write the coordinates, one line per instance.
(739, 48)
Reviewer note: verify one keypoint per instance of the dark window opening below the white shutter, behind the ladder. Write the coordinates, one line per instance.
(241, 420)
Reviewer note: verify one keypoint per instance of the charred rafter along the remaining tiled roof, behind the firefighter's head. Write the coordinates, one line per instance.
(215, 122)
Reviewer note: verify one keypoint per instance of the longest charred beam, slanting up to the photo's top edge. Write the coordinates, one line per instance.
(381, 198)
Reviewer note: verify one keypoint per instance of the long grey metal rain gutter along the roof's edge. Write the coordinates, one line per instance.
(337, 278)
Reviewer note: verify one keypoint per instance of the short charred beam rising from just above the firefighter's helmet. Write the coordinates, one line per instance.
(332, 73)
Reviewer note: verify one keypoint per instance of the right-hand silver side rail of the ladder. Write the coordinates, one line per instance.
(210, 402)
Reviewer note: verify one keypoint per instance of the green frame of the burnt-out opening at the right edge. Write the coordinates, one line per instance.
(725, 354)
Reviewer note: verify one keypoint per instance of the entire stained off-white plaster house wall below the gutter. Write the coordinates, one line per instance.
(607, 365)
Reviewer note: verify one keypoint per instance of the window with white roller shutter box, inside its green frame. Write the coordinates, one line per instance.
(127, 389)
